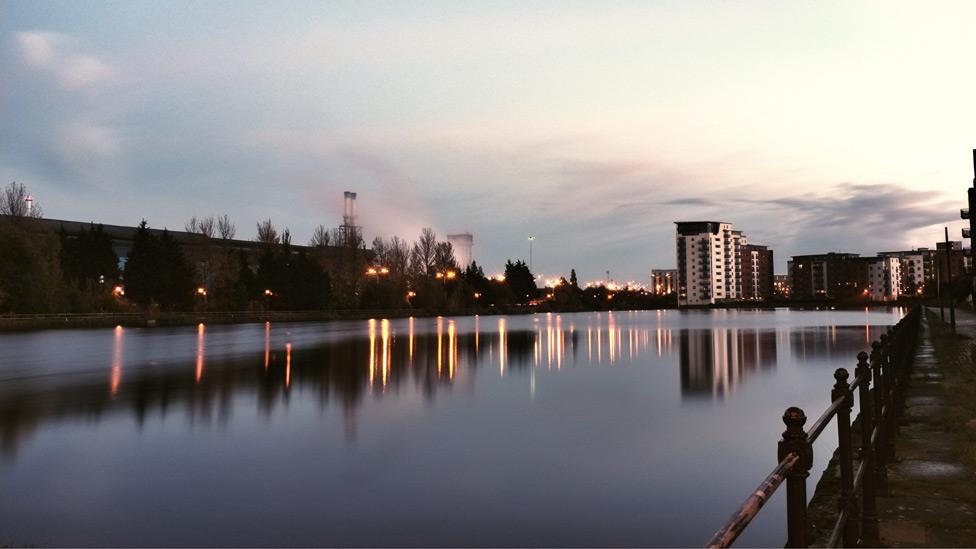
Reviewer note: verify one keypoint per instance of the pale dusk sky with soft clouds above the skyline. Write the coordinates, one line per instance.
(813, 127)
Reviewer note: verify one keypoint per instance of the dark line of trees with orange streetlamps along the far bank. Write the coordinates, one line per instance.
(44, 271)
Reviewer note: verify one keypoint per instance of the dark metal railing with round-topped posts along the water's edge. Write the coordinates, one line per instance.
(880, 407)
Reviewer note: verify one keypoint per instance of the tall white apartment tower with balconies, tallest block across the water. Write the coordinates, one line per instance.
(708, 255)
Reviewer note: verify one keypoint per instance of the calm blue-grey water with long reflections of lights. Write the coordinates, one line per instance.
(645, 428)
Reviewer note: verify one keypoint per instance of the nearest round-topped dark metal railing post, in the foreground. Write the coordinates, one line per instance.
(795, 442)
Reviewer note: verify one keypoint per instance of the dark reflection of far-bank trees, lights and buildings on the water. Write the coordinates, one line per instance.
(377, 357)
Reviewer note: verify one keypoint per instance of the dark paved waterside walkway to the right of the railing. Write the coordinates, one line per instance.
(931, 501)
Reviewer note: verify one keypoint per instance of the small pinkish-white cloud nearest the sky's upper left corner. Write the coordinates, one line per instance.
(55, 53)
